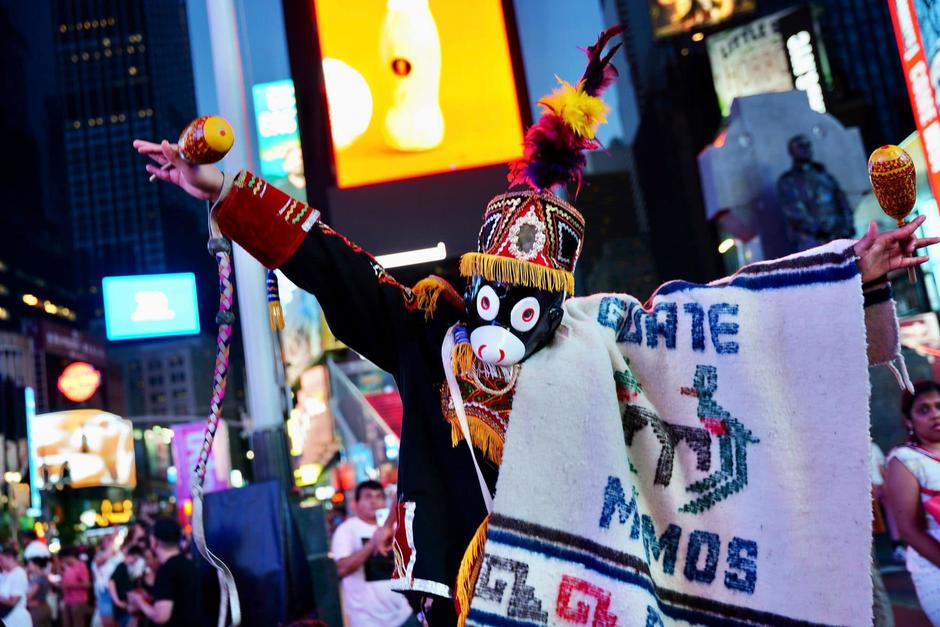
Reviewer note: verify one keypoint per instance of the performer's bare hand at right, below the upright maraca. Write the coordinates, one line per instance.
(880, 253)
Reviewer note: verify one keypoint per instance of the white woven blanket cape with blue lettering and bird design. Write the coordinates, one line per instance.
(702, 461)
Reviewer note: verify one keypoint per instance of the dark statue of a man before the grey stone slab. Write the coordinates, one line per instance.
(815, 207)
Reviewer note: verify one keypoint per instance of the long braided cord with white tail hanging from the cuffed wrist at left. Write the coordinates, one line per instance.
(222, 250)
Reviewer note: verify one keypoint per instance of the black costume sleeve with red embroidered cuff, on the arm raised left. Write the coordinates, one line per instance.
(366, 308)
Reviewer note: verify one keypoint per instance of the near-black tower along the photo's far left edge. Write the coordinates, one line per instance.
(35, 277)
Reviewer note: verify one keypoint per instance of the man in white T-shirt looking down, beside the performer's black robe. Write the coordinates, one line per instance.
(360, 548)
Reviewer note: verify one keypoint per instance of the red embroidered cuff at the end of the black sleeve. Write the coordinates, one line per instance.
(263, 220)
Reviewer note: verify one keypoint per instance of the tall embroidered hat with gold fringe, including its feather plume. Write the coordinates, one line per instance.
(532, 237)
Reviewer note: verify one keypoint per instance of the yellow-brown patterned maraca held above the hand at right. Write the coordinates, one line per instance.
(894, 181)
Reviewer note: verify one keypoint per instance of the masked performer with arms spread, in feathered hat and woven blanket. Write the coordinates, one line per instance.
(660, 463)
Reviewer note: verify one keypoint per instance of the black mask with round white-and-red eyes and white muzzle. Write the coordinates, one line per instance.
(508, 323)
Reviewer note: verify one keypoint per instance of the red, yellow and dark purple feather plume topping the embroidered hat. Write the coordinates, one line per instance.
(554, 146)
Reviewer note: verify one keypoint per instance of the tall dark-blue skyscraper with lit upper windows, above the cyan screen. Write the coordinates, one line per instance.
(125, 73)
